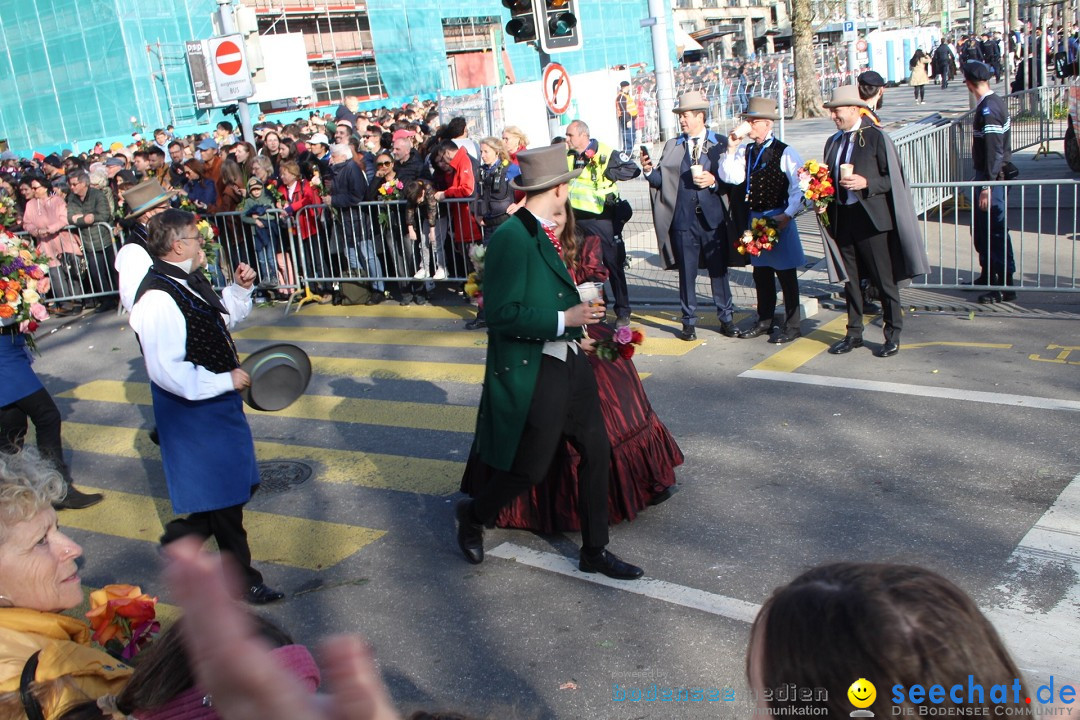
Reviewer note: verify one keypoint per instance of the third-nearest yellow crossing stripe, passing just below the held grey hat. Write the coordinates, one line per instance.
(391, 414)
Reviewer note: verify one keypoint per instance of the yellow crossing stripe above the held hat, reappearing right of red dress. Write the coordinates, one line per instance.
(653, 346)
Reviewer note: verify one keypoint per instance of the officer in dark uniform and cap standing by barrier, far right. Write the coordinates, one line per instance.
(991, 153)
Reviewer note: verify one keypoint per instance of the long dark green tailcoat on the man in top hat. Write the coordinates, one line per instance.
(526, 284)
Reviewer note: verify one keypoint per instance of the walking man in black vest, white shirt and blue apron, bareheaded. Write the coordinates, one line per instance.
(207, 446)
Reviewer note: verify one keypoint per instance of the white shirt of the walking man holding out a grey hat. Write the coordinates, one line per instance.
(164, 335)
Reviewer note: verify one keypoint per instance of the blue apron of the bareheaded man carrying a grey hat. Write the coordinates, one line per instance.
(208, 451)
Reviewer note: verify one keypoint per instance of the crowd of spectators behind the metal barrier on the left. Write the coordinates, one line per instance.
(331, 183)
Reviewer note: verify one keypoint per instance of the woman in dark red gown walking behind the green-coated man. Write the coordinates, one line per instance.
(644, 455)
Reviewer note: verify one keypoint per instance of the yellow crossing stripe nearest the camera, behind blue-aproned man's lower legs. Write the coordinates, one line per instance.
(280, 539)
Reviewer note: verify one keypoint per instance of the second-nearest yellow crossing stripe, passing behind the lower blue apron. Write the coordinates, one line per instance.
(370, 470)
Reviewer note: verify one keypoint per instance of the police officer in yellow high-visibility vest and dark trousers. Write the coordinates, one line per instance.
(595, 199)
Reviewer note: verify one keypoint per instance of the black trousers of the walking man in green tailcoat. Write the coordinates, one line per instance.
(565, 404)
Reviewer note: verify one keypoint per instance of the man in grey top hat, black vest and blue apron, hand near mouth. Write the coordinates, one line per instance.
(766, 173)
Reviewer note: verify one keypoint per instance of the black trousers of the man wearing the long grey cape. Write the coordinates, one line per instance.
(873, 253)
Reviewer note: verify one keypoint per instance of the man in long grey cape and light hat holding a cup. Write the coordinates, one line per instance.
(872, 220)
